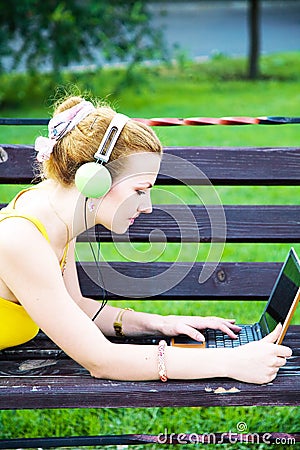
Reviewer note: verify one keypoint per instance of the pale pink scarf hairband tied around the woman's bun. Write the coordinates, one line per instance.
(59, 126)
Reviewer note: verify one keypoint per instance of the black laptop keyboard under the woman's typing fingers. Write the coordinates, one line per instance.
(217, 339)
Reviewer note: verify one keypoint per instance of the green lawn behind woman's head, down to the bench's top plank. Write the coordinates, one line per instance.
(209, 89)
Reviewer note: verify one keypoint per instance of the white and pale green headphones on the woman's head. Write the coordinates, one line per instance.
(93, 179)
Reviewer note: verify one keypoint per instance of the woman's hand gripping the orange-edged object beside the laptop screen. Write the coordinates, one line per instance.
(259, 361)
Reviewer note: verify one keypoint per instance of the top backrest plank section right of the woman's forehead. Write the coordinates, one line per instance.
(231, 165)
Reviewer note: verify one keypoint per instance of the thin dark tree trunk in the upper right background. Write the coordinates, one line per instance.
(254, 32)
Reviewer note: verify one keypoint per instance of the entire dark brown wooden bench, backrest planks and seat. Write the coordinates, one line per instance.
(31, 375)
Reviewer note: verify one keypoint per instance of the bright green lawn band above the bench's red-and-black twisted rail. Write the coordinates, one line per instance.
(200, 88)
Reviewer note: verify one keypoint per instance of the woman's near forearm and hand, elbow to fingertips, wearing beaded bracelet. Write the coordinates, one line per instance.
(257, 362)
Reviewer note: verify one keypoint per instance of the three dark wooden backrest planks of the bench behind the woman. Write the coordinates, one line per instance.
(196, 167)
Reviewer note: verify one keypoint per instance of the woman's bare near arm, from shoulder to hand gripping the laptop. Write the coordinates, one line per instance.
(30, 269)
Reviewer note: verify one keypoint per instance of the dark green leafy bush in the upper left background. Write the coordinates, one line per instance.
(40, 34)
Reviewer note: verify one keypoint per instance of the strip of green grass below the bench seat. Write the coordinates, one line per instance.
(152, 421)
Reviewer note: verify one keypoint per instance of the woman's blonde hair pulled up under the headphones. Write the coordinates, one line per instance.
(81, 143)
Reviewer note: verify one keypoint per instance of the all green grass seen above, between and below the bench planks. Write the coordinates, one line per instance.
(213, 89)
